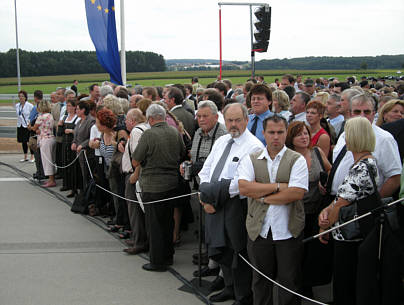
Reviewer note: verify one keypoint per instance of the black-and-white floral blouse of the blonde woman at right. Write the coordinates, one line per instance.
(356, 185)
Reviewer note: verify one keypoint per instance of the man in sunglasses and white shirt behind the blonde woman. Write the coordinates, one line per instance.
(386, 152)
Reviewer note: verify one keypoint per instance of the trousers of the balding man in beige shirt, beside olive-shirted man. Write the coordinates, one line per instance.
(136, 217)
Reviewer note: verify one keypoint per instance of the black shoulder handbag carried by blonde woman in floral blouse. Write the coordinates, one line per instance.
(359, 229)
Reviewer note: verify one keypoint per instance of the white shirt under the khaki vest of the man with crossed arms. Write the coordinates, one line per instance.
(277, 216)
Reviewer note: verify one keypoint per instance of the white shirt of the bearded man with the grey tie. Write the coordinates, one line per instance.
(244, 145)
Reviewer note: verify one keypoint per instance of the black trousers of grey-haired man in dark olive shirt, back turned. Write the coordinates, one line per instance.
(160, 226)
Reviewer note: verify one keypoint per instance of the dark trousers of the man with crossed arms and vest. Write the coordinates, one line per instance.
(279, 260)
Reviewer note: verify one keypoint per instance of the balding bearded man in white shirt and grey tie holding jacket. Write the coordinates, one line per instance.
(226, 211)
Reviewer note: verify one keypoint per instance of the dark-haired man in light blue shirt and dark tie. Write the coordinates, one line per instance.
(261, 101)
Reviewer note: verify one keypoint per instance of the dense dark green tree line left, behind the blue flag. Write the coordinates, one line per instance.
(73, 62)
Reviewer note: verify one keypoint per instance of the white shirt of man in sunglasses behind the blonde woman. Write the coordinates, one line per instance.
(386, 155)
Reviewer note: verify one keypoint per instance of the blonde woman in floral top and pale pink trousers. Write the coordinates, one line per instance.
(46, 141)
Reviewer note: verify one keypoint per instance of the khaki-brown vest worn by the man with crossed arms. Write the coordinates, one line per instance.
(257, 210)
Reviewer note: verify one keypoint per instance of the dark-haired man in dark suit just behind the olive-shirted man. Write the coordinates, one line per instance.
(174, 100)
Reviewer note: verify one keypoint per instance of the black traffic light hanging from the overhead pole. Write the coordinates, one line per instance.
(263, 28)
